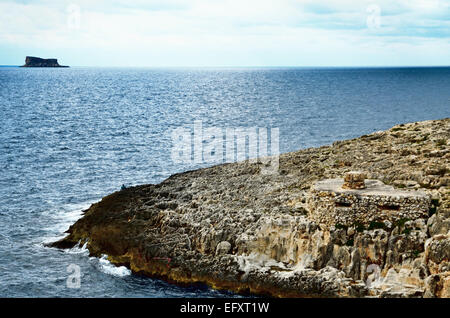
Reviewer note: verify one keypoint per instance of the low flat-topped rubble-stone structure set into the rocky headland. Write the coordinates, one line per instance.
(329, 204)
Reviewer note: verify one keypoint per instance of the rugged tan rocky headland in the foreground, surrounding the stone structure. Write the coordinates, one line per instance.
(235, 228)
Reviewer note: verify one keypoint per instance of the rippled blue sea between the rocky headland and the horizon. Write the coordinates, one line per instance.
(71, 136)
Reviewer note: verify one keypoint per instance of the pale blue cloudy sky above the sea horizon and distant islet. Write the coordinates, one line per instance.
(166, 33)
